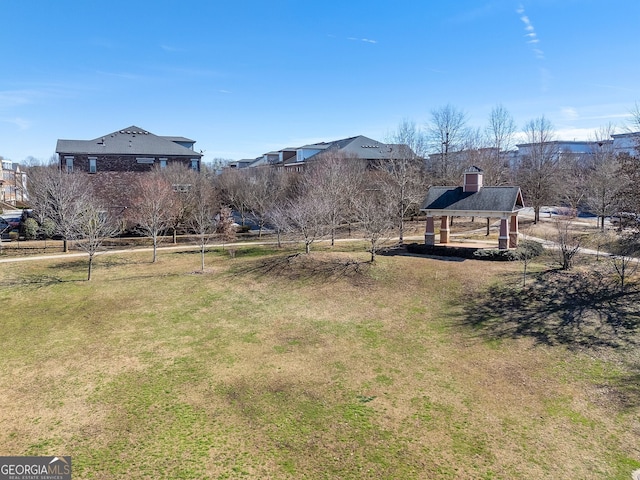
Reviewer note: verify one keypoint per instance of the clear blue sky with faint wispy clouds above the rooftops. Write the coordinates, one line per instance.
(243, 77)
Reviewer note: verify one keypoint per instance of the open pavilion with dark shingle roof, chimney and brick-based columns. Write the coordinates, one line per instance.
(473, 200)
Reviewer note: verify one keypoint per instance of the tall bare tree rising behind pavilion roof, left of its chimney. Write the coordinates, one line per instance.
(446, 132)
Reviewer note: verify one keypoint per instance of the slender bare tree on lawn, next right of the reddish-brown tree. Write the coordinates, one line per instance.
(203, 210)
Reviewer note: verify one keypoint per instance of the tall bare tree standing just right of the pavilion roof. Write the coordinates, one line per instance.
(538, 167)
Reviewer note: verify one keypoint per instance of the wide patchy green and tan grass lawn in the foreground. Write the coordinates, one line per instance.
(275, 365)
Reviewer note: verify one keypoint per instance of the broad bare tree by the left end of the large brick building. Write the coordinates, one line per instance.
(58, 196)
